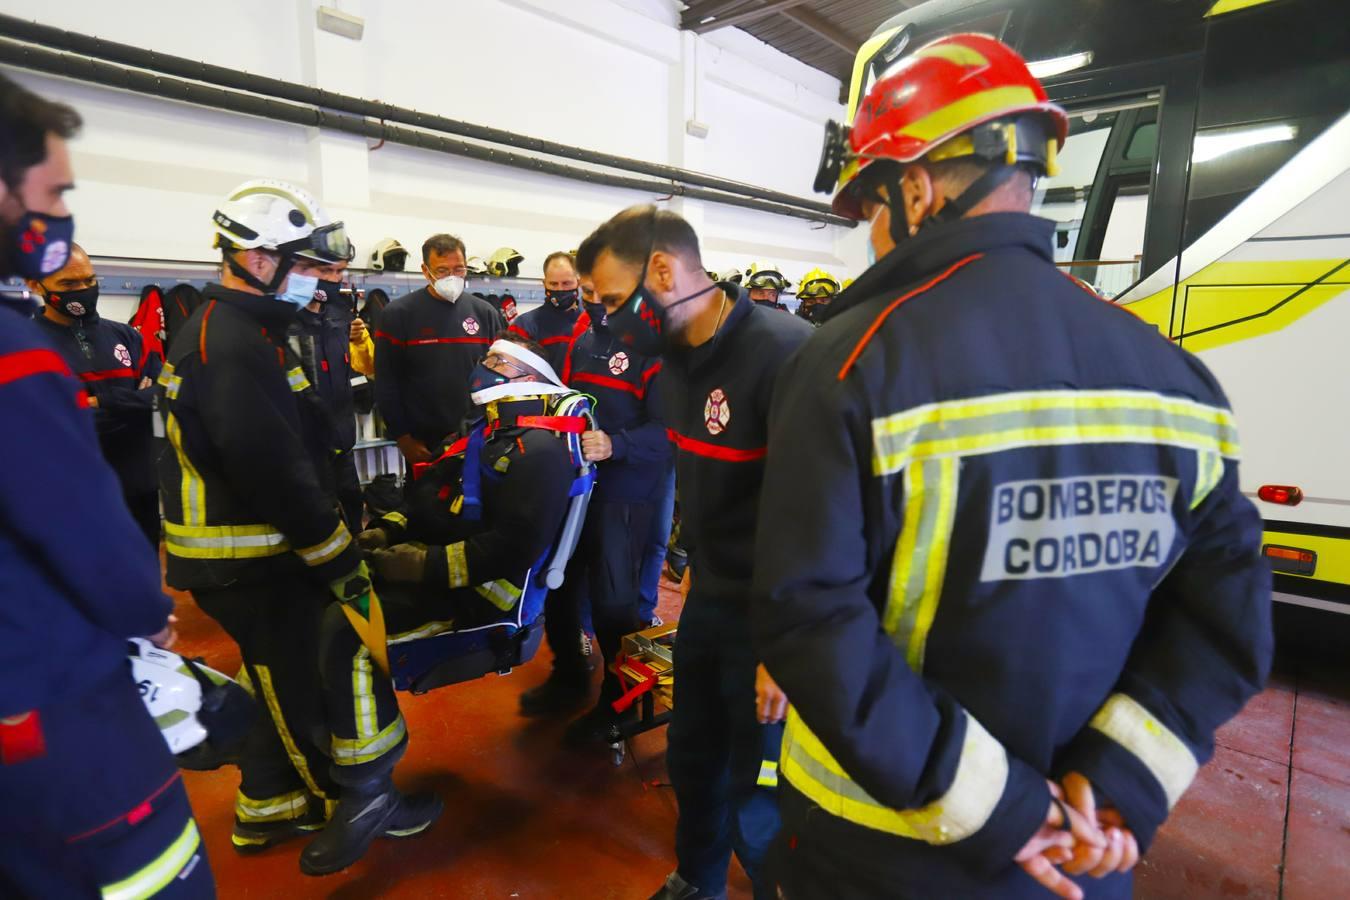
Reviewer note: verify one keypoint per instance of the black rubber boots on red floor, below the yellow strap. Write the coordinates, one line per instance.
(368, 810)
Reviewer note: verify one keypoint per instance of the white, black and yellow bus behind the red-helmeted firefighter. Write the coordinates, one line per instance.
(1206, 187)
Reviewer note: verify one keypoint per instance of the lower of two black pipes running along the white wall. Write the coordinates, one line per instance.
(114, 76)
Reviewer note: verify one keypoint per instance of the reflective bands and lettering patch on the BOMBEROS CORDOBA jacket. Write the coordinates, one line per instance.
(928, 445)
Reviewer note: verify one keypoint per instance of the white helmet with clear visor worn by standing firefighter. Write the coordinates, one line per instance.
(273, 215)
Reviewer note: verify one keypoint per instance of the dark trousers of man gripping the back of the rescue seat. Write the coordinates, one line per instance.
(607, 569)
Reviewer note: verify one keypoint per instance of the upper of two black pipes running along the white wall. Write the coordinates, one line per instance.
(233, 79)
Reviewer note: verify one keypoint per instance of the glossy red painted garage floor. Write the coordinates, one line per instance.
(1270, 817)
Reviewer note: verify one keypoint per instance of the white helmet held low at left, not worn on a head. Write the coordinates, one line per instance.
(191, 704)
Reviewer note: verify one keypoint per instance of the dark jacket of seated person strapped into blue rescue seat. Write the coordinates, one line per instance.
(526, 476)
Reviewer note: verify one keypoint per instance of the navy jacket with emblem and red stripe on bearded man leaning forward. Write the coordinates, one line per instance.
(716, 400)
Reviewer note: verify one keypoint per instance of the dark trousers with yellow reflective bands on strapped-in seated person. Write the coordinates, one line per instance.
(368, 731)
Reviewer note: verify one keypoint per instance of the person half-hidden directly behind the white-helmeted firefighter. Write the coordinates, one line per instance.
(333, 343)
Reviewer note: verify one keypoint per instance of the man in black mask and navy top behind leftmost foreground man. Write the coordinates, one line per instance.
(110, 362)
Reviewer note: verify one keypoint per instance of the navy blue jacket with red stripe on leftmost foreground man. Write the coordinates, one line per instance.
(76, 574)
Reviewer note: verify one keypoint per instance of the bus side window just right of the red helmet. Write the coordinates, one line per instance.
(1101, 196)
